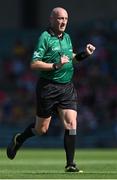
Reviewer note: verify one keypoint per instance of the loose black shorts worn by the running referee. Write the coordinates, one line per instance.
(50, 95)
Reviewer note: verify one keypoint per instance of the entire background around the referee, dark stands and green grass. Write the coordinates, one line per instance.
(95, 80)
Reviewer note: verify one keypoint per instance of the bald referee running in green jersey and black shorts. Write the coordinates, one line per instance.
(53, 57)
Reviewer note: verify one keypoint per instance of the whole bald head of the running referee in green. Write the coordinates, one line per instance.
(58, 20)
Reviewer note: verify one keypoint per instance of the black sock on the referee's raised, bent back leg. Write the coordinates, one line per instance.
(26, 134)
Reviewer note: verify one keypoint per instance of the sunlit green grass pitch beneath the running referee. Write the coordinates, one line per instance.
(49, 164)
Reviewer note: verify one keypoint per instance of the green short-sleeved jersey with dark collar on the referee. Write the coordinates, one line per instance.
(49, 49)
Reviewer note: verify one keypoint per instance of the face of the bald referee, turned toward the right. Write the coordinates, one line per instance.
(59, 21)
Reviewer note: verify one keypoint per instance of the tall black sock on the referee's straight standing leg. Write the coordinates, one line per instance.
(69, 145)
